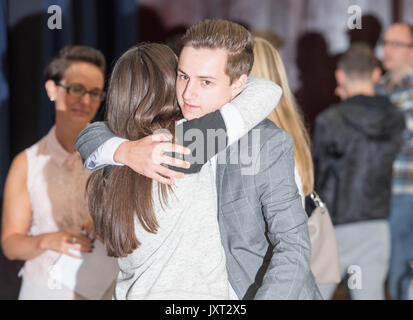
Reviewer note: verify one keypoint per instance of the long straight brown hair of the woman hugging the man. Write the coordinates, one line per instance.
(141, 100)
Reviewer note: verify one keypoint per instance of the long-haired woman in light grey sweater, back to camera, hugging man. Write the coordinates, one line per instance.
(166, 237)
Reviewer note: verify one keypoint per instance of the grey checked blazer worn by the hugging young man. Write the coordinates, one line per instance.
(262, 222)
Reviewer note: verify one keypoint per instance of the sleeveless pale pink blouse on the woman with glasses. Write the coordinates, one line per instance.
(56, 185)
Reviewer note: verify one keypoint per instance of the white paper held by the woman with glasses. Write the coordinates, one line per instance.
(90, 276)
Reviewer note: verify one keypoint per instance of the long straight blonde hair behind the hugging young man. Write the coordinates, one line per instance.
(287, 115)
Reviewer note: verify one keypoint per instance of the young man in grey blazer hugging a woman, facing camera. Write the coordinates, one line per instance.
(262, 223)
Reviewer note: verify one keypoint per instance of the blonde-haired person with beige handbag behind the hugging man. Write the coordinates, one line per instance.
(287, 116)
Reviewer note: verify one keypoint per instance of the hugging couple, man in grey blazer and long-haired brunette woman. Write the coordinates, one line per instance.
(215, 228)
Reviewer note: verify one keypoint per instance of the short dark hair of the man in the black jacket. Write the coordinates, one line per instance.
(358, 62)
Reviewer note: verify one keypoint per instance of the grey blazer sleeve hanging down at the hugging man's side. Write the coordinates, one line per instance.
(288, 275)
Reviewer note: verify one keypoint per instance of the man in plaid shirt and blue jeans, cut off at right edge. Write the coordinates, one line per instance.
(397, 84)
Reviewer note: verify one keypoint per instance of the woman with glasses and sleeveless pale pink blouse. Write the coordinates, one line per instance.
(45, 212)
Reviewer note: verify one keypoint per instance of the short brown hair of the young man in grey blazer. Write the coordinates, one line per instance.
(223, 34)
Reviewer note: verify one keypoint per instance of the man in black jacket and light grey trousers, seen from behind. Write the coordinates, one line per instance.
(355, 144)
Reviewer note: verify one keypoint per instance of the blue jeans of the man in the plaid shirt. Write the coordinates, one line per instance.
(401, 229)
